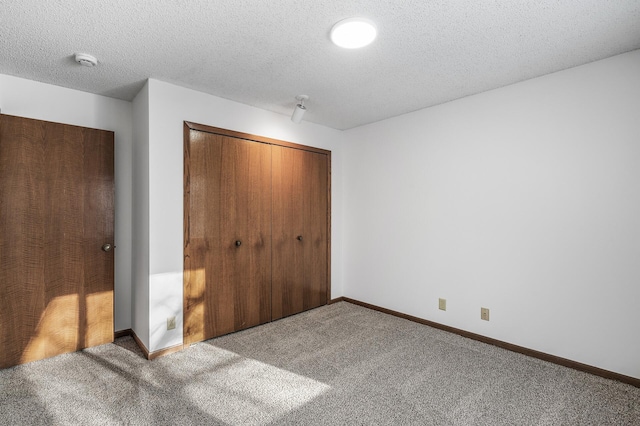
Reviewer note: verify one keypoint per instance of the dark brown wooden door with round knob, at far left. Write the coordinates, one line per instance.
(56, 212)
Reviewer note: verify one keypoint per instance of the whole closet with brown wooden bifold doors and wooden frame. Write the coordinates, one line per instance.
(256, 230)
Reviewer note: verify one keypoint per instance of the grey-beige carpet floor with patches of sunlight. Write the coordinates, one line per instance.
(340, 364)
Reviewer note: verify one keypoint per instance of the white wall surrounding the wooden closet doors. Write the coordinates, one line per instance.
(169, 107)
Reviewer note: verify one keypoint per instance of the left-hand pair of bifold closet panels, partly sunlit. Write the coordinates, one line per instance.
(228, 235)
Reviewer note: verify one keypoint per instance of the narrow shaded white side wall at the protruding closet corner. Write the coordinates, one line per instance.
(140, 217)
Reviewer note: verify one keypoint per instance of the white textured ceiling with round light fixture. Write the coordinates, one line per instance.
(264, 53)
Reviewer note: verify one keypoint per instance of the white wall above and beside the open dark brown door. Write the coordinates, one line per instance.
(26, 98)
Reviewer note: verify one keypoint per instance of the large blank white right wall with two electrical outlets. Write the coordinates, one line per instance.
(524, 200)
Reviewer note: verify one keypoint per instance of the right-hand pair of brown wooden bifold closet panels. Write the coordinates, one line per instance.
(300, 229)
